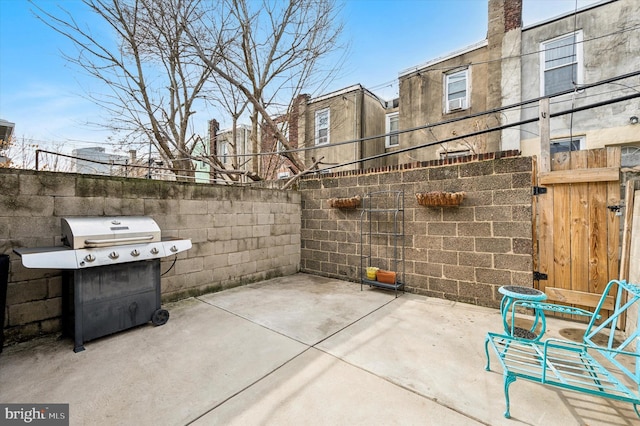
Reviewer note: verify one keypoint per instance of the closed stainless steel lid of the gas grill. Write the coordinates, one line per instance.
(88, 232)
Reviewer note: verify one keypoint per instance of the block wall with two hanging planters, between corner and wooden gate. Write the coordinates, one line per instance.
(462, 253)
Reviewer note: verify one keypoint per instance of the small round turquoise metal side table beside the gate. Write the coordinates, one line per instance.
(512, 294)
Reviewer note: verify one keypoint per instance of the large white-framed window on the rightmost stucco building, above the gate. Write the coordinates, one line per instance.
(561, 63)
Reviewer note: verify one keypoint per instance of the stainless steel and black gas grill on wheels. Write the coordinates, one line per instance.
(111, 279)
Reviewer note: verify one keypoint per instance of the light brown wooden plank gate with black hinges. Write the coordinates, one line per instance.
(577, 226)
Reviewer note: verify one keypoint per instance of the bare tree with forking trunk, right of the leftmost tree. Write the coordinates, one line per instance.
(281, 51)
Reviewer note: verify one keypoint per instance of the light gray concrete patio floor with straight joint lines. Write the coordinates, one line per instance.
(300, 349)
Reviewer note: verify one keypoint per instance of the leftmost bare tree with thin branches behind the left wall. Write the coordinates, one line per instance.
(155, 77)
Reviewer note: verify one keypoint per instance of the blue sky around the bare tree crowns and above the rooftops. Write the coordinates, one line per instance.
(46, 97)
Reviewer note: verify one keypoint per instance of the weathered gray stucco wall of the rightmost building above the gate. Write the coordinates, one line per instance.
(610, 49)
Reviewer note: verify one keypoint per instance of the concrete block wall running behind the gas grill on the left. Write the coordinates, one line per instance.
(239, 235)
